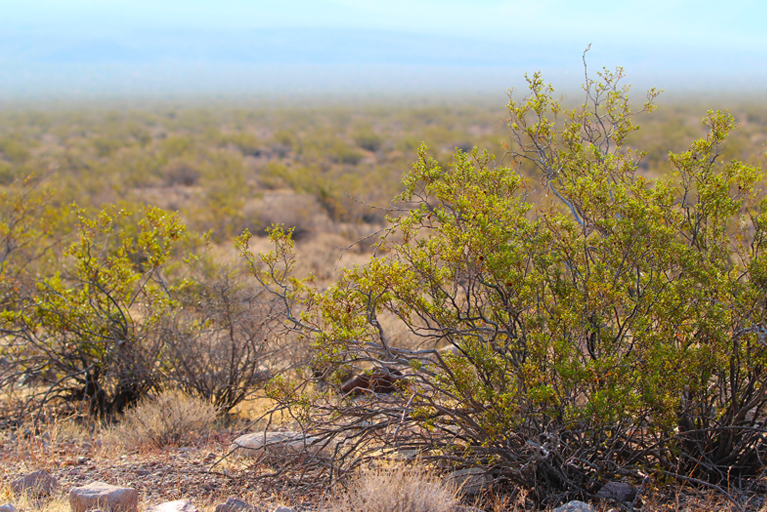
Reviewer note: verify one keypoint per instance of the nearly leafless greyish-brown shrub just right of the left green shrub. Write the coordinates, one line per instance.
(225, 342)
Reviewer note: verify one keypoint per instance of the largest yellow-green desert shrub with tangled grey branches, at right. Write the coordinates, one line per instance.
(614, 325)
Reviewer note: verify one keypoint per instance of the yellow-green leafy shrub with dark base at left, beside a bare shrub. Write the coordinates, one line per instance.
(94, 324)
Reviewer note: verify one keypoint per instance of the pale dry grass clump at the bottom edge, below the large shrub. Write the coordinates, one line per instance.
(396, 489)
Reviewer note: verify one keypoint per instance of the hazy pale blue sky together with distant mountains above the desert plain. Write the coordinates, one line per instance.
(227, 46)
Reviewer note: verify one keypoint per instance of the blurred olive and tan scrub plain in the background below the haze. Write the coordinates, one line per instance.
(317, 168)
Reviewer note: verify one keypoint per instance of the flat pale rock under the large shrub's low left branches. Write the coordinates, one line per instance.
(273, 446)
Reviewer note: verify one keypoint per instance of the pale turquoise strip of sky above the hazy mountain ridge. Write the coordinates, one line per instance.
(697, 23)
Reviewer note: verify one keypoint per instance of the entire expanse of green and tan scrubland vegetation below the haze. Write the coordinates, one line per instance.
(546, 292)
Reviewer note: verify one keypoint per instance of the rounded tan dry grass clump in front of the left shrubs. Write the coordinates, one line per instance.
(170, 419)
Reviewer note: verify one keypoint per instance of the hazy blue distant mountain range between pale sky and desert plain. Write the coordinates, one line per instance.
(340, 60)
